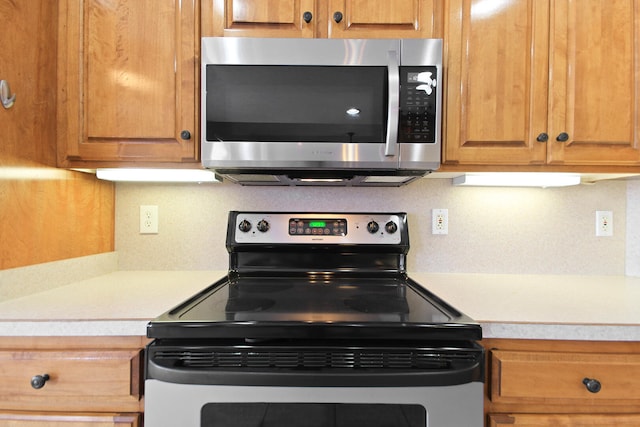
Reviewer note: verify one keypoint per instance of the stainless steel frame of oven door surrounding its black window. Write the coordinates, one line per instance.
(168, 404)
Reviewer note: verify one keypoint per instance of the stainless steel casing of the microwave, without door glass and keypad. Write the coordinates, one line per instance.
(284, 163)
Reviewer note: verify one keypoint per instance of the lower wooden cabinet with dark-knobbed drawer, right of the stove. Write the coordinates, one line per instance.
(562, 383)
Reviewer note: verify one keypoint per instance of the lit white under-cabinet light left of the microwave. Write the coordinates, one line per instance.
(157, 175)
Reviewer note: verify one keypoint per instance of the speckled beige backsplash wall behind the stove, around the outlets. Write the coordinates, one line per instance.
(491, 230)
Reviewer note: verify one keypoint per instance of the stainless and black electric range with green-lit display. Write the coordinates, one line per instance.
(317, 324)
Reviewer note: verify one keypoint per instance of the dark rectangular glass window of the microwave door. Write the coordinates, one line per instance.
(296, 103)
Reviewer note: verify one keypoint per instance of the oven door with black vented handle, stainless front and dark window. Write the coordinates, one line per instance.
(262, 385)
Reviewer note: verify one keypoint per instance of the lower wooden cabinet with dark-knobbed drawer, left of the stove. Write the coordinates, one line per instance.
(71, 381)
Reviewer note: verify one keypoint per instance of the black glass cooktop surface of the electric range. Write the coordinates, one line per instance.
(315, 306)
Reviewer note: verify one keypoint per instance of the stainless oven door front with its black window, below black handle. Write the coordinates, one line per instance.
(197, 405)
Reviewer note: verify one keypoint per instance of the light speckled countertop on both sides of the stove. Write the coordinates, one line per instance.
(507, 306)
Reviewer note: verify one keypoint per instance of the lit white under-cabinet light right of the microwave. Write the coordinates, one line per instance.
(517, 179)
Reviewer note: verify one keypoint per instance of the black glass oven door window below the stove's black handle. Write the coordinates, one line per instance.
(312, 415)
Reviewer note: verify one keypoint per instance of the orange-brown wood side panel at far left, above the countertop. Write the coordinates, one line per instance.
(46, 214)
